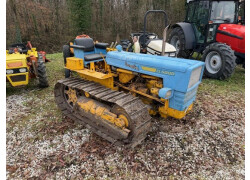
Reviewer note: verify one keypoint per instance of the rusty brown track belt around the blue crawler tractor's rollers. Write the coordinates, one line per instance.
(133, 106)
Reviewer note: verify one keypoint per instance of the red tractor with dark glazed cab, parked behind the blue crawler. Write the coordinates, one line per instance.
(211, 28)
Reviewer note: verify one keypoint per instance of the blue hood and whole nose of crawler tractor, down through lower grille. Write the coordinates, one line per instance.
(175, 73)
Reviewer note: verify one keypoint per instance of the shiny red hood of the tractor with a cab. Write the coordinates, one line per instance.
(233, 35)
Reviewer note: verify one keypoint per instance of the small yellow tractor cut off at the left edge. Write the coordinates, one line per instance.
(24, 62)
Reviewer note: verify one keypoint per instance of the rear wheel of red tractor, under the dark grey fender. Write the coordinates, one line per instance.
(177, 39)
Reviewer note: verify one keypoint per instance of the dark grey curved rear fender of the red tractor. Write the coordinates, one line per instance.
(188, 32)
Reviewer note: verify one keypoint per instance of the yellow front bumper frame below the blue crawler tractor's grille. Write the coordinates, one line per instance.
(165, 111)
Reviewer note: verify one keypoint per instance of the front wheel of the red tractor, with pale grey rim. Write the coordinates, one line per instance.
(220, 61)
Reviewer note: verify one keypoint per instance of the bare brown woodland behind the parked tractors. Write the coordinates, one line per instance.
(49, 24)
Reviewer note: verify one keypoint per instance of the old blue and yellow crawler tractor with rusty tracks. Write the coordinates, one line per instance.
(115, 93)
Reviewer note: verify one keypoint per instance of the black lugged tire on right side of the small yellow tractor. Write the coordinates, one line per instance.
(41, 72)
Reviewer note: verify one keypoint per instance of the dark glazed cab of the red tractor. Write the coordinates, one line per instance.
(205, 17)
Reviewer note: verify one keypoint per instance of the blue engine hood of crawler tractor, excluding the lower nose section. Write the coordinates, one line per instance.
(175, 72)
